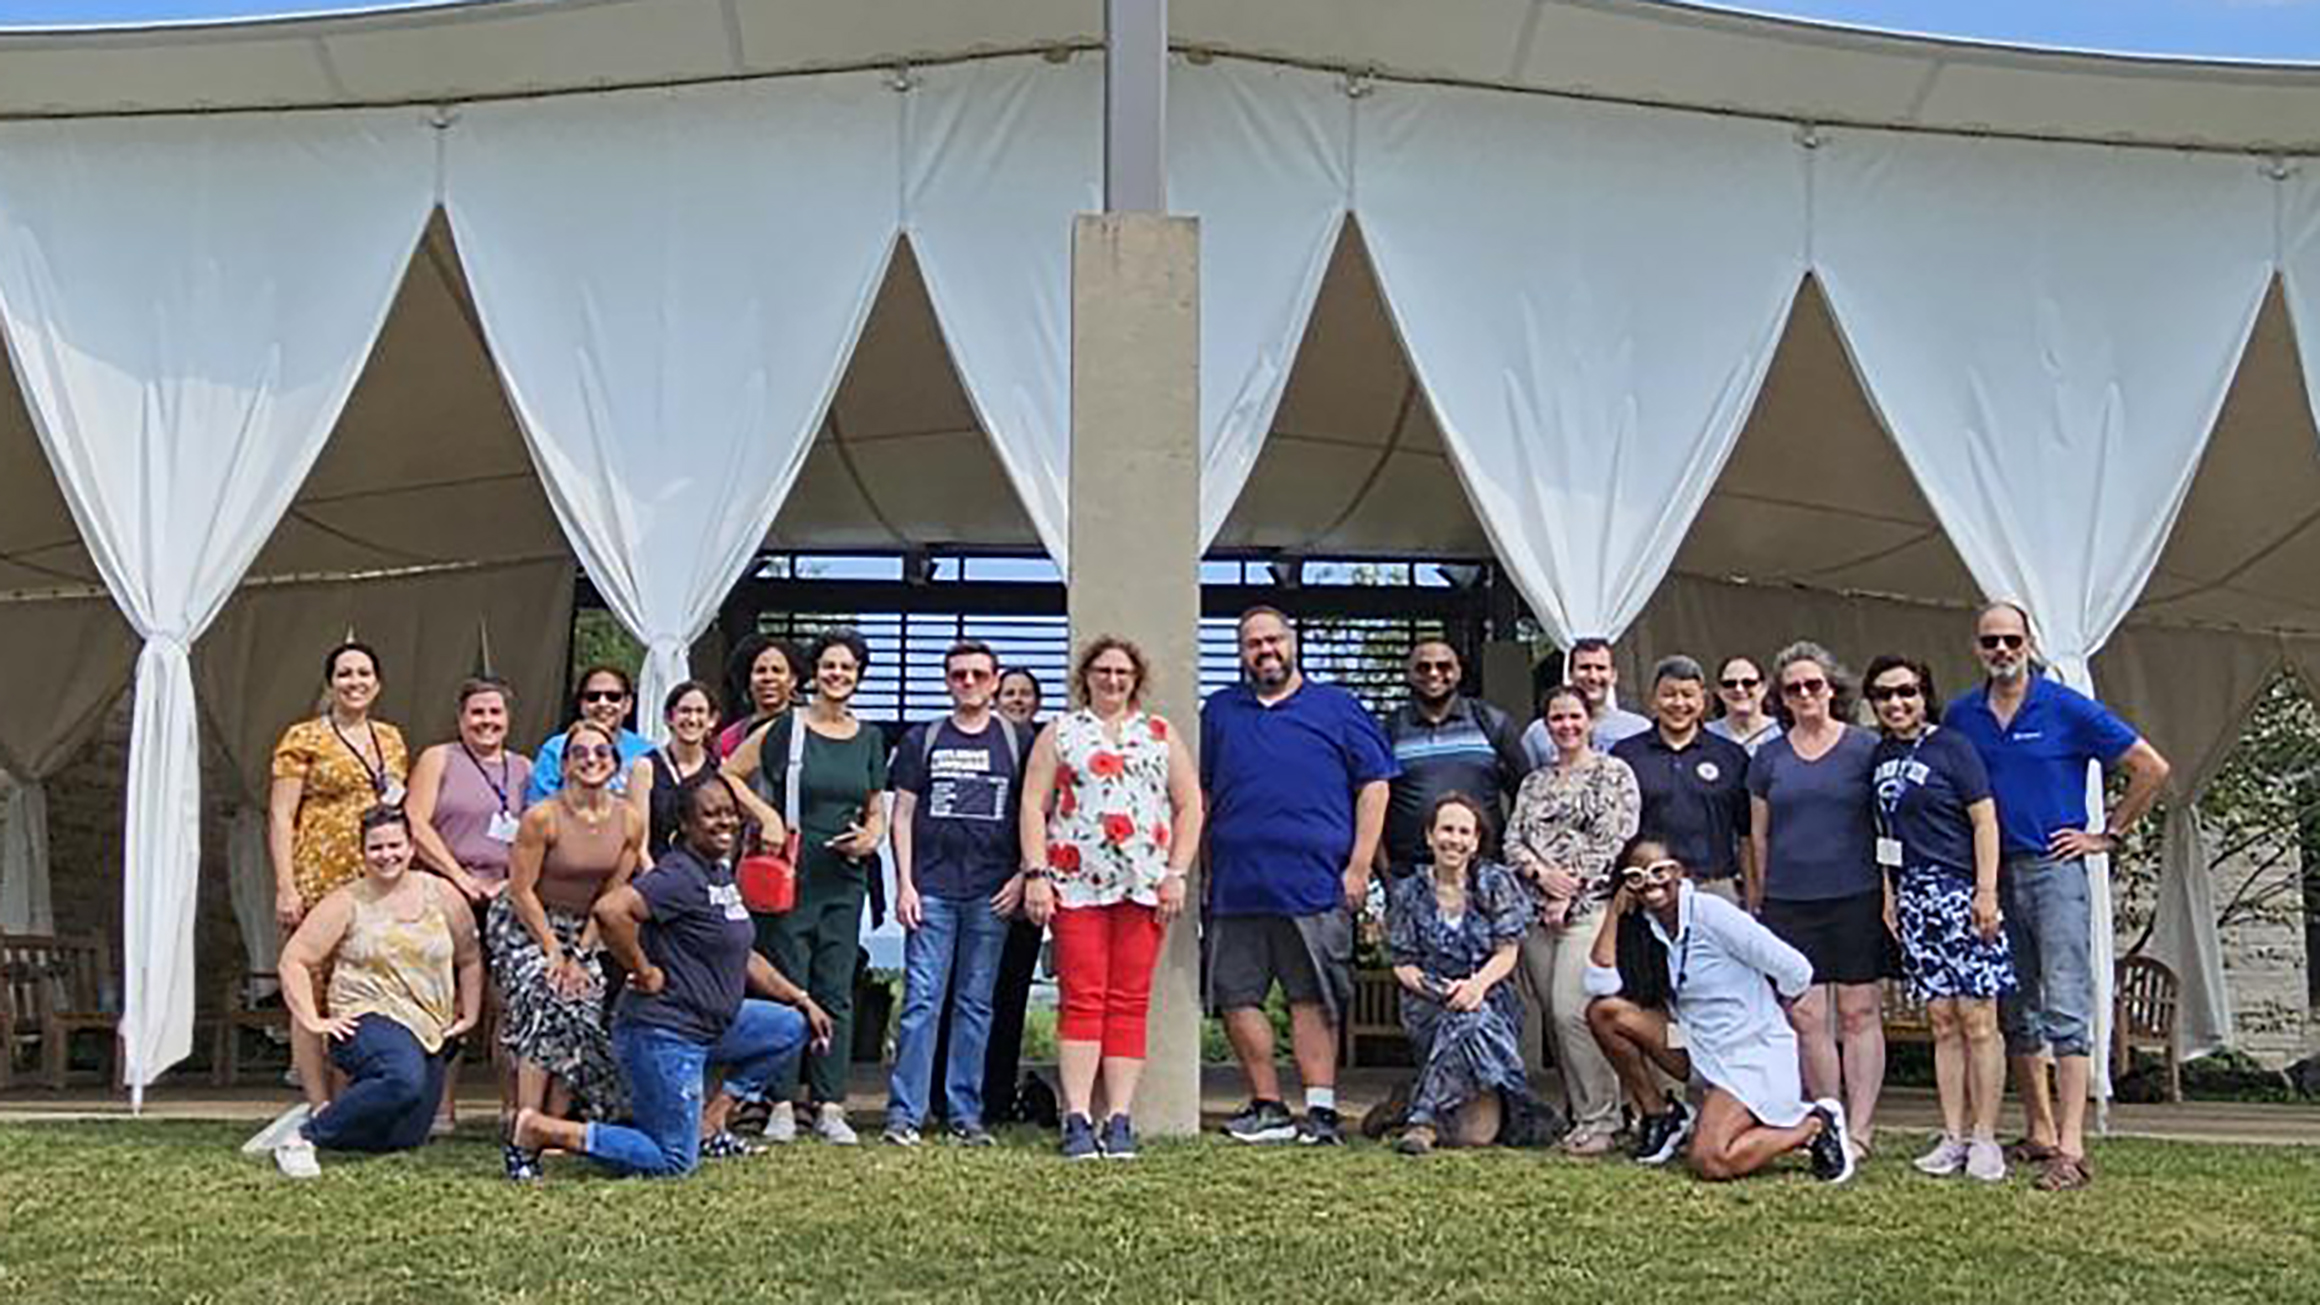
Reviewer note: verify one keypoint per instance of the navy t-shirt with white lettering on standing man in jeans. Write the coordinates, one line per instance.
(964, 835)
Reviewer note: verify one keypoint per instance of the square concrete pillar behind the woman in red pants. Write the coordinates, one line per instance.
(1136, 535)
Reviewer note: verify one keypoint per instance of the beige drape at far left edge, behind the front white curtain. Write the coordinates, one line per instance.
(68, 663)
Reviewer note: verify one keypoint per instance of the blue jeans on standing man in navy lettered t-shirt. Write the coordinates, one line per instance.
(955, 949)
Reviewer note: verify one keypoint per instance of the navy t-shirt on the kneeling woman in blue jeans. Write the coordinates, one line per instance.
(699, 937)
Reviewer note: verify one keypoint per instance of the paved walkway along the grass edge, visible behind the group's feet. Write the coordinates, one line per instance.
(1904, 1109)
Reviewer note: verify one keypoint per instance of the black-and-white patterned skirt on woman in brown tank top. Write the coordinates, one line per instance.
(563, 1034)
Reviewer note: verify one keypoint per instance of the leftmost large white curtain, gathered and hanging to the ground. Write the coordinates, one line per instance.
(187, 305)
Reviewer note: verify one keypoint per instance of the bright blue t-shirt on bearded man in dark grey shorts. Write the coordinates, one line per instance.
(1282, 784)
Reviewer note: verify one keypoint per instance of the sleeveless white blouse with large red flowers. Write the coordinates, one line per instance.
(1108, 832)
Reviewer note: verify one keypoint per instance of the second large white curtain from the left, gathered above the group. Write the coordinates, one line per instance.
(672, 284)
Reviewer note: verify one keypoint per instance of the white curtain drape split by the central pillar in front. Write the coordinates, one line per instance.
(1006, 154)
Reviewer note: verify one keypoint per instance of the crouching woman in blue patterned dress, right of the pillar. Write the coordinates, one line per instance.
(1456, 932)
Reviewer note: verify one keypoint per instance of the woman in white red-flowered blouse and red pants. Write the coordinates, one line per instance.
(1110, 830)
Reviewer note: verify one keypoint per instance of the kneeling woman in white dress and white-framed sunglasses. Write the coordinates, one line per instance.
(1720, 1009)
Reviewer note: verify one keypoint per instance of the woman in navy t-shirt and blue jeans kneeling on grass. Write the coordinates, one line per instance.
(686, 939)
